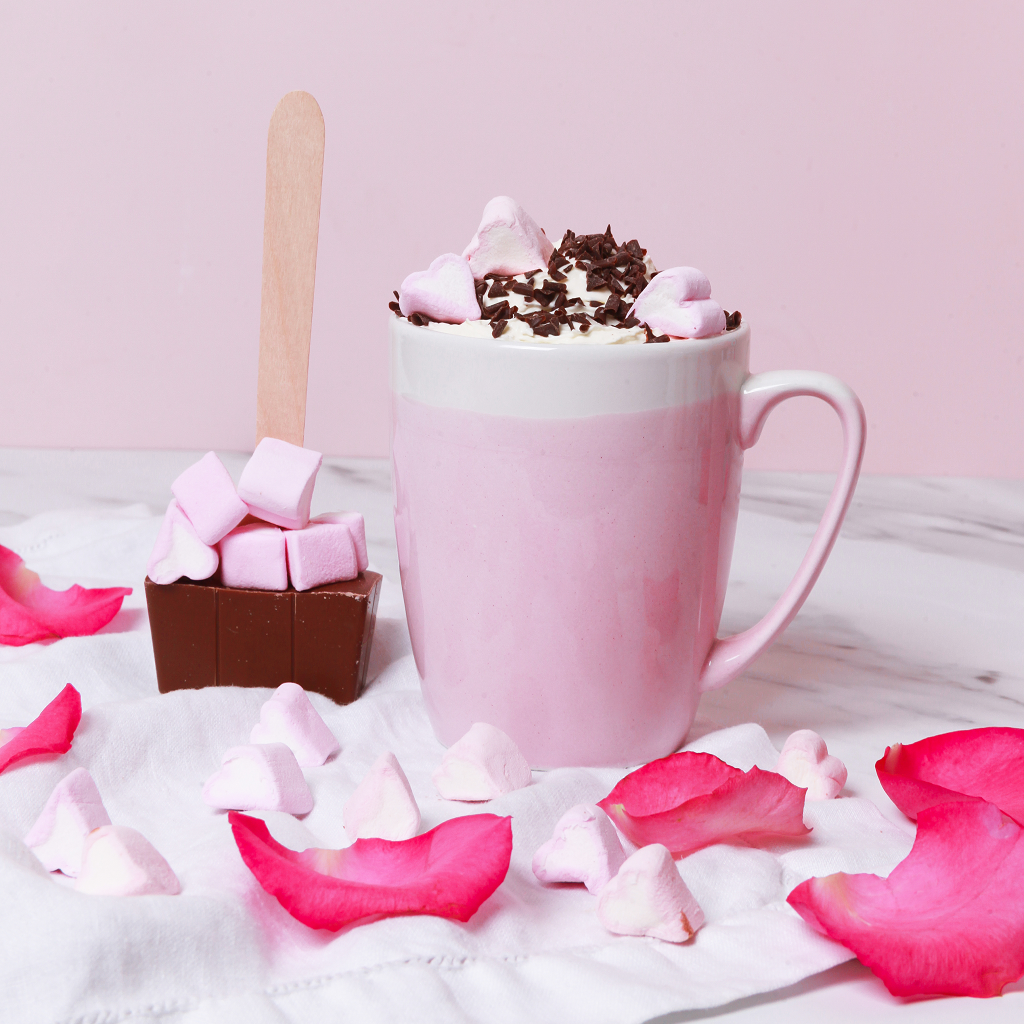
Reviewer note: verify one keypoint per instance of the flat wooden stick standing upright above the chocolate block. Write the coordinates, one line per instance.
(291, 228)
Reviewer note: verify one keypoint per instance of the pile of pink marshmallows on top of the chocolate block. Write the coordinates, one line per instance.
(209, 524)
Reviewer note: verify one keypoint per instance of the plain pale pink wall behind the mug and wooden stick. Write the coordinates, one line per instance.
(848, 176)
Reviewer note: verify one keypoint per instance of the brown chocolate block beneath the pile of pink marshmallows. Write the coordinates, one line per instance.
(205, 634)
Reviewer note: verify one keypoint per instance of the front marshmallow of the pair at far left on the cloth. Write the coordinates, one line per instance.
(120, 862)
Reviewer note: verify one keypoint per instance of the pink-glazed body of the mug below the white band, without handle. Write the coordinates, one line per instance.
(625, 580)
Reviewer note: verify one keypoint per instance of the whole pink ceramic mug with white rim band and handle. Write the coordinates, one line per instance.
(566, 518)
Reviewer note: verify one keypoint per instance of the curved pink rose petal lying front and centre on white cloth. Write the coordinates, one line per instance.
(448, 872)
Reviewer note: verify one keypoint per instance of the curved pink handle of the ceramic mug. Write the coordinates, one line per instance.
(759, 395)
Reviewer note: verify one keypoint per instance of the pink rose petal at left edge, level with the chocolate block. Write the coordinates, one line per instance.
(30, 612)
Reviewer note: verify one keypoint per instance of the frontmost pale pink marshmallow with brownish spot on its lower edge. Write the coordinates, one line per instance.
(649, 898)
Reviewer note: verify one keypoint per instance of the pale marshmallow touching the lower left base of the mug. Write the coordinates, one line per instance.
(484, 764)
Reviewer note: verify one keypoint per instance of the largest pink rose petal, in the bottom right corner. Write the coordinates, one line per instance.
(950, 919)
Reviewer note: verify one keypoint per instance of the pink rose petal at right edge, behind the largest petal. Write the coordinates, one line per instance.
(984, 764)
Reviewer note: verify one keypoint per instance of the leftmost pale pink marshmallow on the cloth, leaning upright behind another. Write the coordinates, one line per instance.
(75, 808)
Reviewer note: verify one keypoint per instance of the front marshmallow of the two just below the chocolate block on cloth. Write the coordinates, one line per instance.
(260, 778)
